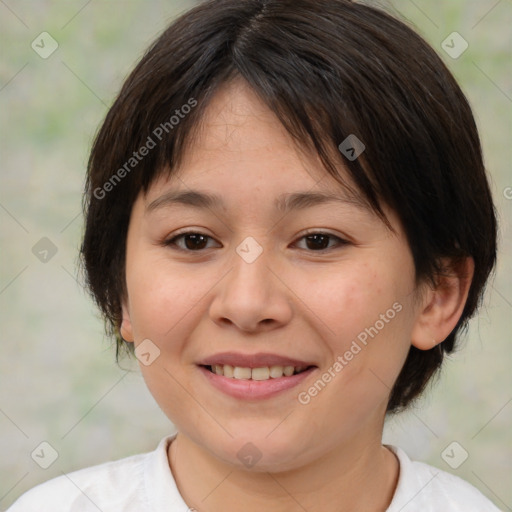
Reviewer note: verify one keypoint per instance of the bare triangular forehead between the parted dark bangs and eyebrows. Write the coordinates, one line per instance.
(239, 146)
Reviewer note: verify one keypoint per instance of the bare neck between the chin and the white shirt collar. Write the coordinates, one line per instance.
(353, 477)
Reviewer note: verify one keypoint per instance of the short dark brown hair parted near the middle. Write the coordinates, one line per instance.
(328, 69)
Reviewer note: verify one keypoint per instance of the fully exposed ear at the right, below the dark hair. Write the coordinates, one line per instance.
(442, 305)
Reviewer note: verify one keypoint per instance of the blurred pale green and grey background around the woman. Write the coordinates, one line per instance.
(61, 65)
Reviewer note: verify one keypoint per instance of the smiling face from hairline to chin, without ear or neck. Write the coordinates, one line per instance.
(249, 288)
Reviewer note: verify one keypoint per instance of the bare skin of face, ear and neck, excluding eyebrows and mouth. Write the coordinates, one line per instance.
(294, 300)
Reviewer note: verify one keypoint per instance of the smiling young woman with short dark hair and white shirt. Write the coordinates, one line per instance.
(288, 221)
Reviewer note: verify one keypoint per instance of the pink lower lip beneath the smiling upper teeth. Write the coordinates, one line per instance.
(254, 389)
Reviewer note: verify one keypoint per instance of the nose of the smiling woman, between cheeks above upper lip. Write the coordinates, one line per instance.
(252, 297)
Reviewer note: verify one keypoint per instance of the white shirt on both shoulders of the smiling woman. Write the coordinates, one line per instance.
(144, 483)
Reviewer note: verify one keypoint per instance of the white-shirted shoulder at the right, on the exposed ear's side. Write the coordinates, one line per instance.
(424, 488)
